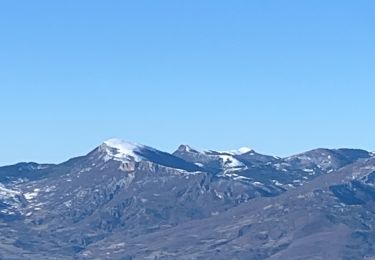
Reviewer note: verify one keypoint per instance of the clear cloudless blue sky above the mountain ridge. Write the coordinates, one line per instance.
(279, 76)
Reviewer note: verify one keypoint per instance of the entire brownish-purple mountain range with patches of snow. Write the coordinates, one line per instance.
(125, 200)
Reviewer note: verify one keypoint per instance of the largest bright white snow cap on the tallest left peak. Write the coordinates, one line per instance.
(123, 150)
